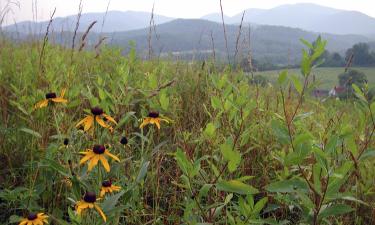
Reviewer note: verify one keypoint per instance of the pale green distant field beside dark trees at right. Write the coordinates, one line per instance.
(327, 76)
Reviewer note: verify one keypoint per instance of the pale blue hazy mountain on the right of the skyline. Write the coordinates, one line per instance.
(307, 16)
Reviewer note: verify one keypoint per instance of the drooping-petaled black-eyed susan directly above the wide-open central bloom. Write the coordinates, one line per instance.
(98, 115)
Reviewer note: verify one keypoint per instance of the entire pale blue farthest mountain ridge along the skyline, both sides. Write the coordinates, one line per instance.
(307, 16)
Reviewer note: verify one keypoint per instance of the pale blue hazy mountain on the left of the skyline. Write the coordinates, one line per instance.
(115, 21)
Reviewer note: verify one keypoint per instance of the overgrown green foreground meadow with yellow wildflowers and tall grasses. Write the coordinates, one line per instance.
(95, 137)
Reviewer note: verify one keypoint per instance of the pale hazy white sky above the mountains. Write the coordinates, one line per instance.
(172, 8)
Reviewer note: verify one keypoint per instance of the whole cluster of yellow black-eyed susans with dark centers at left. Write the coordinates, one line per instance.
(91, 156)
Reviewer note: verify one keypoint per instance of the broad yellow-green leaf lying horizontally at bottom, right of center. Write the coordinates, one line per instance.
(236, 186)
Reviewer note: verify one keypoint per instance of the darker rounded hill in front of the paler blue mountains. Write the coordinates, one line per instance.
(275, 44)
